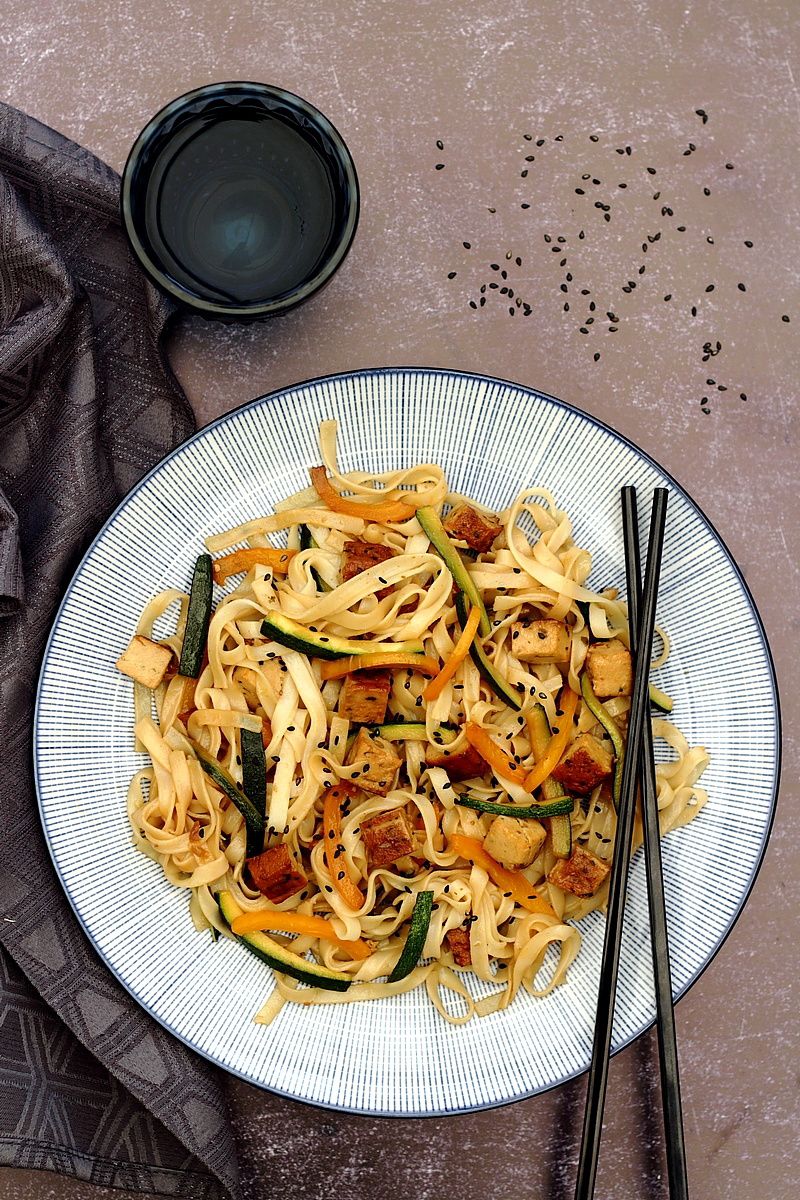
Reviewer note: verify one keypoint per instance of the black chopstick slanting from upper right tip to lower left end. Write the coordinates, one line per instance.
(640, 715)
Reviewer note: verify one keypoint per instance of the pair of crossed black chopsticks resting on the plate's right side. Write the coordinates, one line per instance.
(639, 771)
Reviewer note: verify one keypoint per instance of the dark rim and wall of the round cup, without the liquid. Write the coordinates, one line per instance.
(161, 278)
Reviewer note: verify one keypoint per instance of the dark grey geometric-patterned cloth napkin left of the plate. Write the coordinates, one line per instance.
(89, 1084)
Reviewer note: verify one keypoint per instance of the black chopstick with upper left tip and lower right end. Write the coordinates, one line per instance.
(671, 1102)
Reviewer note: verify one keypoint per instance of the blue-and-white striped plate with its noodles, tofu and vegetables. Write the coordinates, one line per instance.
(354, 722)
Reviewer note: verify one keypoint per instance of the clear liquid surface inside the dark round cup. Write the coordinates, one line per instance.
(242, 208)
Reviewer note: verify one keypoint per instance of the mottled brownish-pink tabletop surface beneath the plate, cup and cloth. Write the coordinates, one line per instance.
(395, 77)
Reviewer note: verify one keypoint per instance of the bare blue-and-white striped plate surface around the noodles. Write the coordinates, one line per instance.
(398, 1057)
